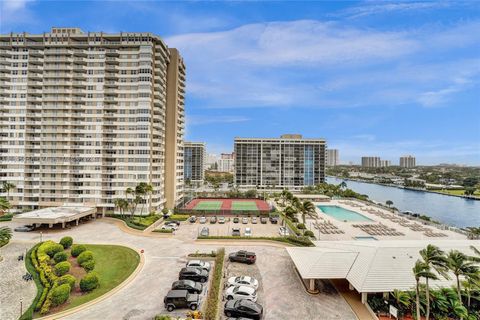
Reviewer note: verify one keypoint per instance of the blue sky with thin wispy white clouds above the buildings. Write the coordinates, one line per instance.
(372, 78)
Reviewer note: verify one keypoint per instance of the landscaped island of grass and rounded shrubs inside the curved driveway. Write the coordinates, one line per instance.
(68, 275)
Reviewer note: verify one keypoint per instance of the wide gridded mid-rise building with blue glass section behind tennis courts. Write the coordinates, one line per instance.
(287, 162)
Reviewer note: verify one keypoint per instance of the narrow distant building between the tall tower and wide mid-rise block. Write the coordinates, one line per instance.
(194, 161)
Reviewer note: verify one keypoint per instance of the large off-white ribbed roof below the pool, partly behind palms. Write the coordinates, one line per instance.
(370, 266)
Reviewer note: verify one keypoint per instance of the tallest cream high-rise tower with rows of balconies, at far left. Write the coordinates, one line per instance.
(83, 116)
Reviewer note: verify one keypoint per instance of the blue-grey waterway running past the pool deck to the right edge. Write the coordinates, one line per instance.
(454, 211)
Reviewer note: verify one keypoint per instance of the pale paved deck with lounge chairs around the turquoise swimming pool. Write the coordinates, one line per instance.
(350, 231)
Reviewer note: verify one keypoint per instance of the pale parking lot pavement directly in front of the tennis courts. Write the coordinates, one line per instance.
(188, 230)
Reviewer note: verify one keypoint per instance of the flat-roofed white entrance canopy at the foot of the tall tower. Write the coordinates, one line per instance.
(55, 215)
